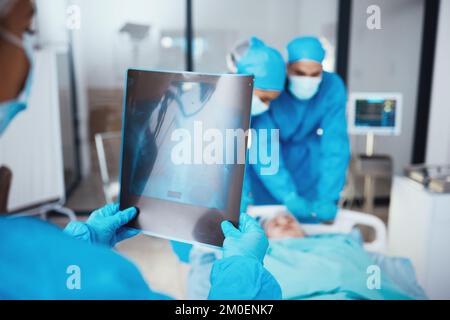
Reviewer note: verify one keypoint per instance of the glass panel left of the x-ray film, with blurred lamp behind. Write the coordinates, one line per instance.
(115, 35)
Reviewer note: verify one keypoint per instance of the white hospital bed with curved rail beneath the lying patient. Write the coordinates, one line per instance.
(399, 270)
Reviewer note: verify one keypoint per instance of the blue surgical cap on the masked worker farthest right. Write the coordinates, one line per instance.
(305, 48)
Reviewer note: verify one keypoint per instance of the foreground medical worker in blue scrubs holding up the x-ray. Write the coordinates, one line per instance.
(40, 261)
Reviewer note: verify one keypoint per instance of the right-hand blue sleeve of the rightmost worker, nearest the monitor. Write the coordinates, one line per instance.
(334, 147)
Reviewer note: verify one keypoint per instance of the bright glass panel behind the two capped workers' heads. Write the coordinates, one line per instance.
(219, 25)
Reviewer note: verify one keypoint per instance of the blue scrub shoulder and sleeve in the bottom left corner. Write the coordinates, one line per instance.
(38, 261)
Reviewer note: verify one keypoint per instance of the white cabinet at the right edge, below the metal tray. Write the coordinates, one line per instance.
(419, 229)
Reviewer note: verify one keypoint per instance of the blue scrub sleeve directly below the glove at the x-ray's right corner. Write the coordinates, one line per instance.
(242, 278)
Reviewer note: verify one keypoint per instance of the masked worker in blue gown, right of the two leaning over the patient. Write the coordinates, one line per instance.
(314, 145)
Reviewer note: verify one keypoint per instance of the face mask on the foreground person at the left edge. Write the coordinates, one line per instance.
(9, 109)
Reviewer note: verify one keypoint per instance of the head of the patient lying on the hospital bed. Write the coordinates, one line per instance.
(283, 226)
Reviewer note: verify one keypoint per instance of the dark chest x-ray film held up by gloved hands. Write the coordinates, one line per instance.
(170, 123)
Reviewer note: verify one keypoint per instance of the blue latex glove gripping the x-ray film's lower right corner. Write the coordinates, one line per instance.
(249, 241)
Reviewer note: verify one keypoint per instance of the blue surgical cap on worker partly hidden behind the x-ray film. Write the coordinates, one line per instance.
(265, 63)
